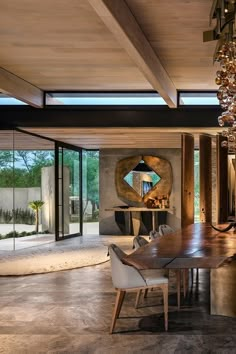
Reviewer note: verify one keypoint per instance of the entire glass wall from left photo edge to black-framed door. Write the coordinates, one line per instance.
(26, 208)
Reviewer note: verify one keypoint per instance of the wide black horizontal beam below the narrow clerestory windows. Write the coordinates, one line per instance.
(26, 116)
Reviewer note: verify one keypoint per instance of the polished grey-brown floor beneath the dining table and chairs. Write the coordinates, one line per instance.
(70, 312)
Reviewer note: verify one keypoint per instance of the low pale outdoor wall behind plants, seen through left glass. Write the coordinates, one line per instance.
(22, 197)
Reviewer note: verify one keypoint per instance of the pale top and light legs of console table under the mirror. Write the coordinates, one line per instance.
(135, 216)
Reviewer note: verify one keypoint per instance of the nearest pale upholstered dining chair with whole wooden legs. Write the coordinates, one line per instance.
(127, 278)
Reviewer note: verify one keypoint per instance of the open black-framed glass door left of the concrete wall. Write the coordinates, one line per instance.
(68, 191)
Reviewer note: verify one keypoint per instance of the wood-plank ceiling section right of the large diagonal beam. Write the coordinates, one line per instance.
(175, 30)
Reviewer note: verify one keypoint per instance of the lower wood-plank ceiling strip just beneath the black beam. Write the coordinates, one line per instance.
(104, 138)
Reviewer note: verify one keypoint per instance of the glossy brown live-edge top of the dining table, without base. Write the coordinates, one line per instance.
(196, 246)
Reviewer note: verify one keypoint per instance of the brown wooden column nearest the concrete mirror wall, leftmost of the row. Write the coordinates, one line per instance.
(187, 200)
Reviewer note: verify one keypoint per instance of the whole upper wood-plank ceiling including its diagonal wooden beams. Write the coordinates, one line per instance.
(87, 45)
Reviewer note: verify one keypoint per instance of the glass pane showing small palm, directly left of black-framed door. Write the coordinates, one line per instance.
(33, 190)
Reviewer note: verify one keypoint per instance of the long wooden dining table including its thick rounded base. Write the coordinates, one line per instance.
(196, 246)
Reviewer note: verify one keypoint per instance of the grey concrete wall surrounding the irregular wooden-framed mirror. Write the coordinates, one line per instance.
(109, 198)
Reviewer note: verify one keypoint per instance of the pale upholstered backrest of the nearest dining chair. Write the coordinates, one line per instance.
(123, 276)
